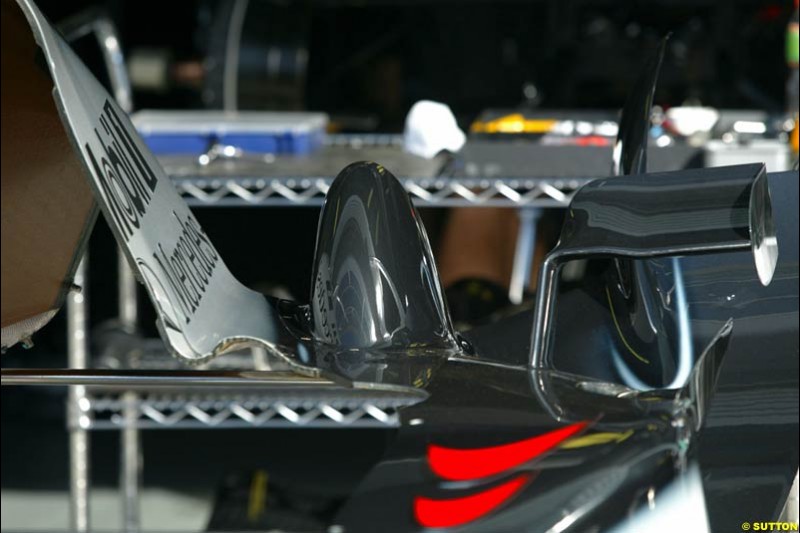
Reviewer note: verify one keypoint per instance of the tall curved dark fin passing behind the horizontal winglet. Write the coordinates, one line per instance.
(655, 350)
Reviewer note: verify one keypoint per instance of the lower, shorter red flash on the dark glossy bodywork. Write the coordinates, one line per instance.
(459, 511)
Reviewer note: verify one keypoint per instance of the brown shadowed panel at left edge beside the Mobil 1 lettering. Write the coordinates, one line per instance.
(47, 209)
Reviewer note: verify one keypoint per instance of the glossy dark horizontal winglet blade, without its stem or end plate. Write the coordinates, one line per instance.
(668, 213)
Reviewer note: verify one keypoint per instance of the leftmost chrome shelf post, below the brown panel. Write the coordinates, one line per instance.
(78, 418)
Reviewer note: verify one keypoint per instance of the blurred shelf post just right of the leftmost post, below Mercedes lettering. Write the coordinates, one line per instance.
(130, 440)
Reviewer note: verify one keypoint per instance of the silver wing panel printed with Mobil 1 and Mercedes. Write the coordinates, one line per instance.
(202, 309)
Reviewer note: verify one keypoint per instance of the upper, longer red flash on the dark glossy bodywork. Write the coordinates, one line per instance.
(460, 465)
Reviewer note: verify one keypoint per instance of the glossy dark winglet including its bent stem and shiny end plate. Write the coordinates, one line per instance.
(655, 215)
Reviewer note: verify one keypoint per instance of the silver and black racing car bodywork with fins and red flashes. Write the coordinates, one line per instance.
(498, 436)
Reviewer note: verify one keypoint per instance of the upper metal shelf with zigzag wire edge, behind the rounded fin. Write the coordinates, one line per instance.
(285, 181)
